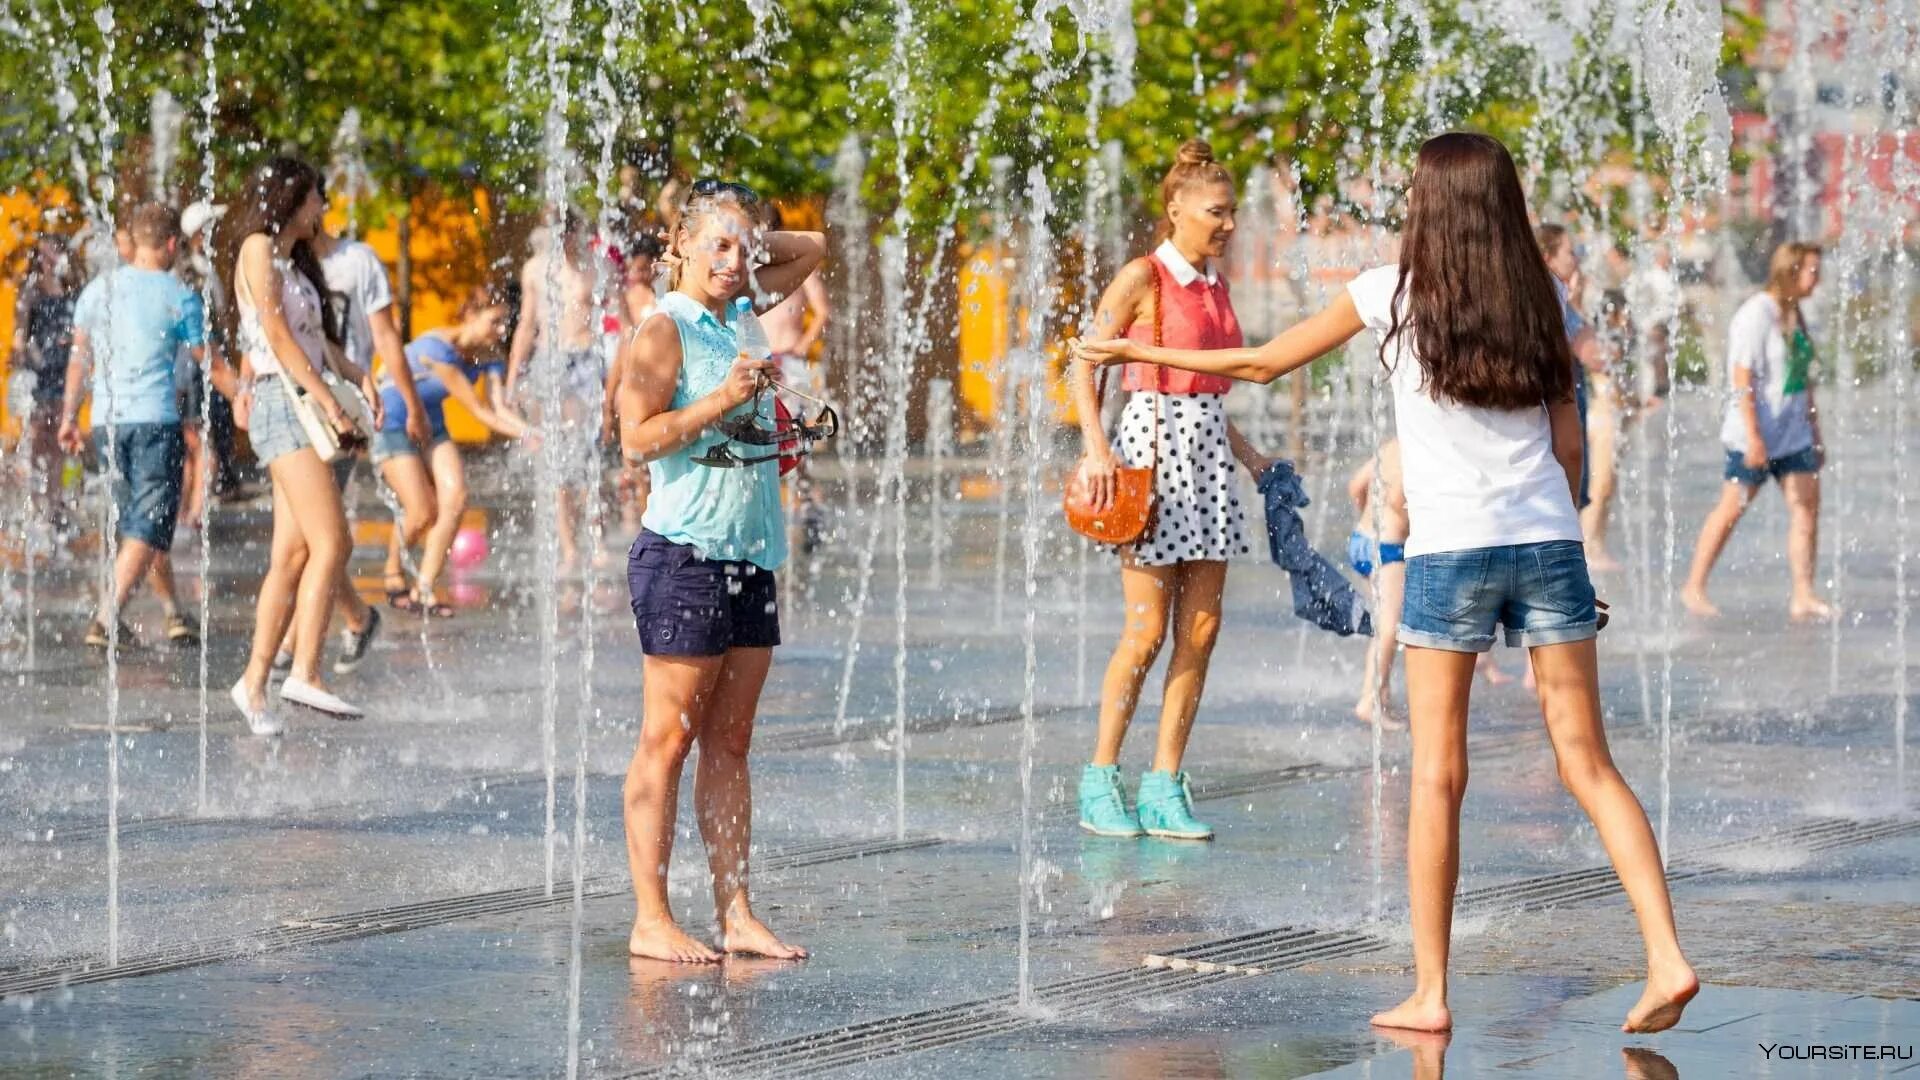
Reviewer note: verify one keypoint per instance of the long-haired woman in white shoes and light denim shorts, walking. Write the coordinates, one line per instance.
(287, 331)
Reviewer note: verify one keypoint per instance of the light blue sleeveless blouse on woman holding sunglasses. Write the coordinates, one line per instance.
(725, 514)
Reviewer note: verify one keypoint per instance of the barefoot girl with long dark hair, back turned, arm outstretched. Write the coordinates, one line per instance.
(1481, 372)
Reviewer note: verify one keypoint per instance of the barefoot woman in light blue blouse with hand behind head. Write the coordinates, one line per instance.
(702, 570)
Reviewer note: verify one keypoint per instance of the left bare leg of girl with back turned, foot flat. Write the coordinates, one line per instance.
(1439, 685)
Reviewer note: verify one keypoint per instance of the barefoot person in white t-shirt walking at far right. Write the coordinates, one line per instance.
(1771, 430)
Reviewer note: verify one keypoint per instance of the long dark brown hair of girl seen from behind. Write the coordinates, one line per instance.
(1479, 301)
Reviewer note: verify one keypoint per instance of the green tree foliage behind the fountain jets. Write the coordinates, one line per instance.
(456, 91)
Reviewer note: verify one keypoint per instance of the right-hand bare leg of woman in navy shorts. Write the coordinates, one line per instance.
(723, 798)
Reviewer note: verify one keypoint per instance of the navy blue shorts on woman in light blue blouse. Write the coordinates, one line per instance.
(692, 606)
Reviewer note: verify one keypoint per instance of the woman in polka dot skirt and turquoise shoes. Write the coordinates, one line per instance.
(1178, 424)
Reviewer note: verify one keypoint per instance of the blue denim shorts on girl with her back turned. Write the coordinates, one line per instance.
(1539, 593)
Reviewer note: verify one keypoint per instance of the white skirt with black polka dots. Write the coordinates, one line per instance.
(1199, 512)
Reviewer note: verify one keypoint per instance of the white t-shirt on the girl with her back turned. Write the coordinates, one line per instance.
(1474, 478)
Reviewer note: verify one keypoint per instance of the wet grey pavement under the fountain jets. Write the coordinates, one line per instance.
(372, 898)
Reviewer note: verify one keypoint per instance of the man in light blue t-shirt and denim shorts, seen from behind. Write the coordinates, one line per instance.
(130, 328)
